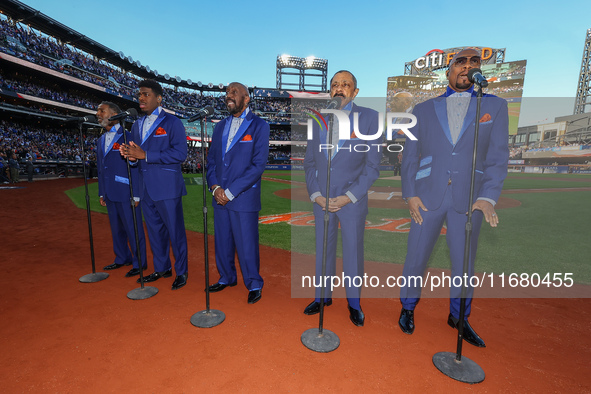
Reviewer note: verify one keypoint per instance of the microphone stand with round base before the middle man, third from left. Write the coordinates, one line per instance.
(209, 317)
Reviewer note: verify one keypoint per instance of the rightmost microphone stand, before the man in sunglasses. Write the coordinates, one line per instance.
(453, 364)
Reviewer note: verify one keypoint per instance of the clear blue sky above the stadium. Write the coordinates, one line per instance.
(223, 41)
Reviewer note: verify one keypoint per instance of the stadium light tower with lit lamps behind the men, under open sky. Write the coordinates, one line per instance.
(305, 68)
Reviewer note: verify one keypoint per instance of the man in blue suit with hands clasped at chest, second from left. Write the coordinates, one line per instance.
(160, 145)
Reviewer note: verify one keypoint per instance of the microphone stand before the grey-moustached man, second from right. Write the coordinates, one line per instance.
(321, 340)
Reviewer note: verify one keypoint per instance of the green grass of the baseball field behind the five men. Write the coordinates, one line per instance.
(549, 232)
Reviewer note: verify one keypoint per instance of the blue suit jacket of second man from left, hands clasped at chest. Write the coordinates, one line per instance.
(166, 150)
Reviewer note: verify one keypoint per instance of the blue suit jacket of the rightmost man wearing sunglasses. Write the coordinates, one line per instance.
(430, 162)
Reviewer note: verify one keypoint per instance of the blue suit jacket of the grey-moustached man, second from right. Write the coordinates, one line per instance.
(351, 171)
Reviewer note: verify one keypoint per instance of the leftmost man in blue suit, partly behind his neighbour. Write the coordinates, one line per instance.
(114, 192)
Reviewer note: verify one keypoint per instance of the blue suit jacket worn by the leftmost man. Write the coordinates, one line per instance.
(112, 171)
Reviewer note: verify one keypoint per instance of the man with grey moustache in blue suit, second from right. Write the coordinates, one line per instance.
(354, 168)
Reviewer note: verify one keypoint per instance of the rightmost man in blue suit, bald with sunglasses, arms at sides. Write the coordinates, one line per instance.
(436, 173)
